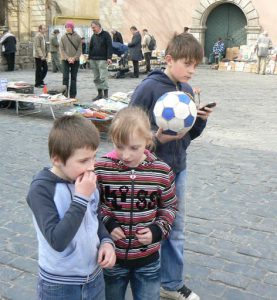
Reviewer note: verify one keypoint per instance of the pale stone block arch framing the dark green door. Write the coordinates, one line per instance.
(201, 13)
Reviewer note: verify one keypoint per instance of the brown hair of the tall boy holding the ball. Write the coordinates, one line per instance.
(185, 45)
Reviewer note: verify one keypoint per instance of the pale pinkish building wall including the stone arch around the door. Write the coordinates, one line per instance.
(164, 18)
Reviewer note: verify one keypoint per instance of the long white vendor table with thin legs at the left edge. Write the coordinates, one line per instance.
(50, 102)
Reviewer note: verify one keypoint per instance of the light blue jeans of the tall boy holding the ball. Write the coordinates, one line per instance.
(172, 250)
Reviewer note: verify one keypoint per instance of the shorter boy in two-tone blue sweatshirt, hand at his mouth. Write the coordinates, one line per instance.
(73, 244)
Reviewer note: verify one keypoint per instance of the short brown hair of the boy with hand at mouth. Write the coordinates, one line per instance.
(70, 133)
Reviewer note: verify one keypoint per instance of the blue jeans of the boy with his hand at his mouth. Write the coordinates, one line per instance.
(94, 290)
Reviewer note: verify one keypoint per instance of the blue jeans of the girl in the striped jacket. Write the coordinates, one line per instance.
(144, 281)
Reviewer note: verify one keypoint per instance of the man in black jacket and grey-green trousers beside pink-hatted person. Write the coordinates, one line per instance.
(100, 55)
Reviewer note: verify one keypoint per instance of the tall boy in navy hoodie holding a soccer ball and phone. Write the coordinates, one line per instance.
(182, 56)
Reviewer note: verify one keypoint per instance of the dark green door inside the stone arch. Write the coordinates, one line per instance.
(228, 22)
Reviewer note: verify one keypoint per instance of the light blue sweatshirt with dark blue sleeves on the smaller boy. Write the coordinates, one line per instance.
(68, 228)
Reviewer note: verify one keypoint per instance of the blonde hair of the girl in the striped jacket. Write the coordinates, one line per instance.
(128, 121)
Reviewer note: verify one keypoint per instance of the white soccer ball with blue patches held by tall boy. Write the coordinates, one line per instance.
(175, 112)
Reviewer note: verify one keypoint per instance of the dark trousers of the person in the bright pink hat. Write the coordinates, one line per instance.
(73, 70)
